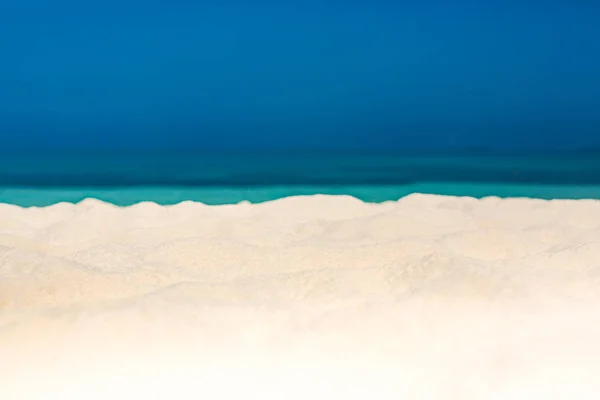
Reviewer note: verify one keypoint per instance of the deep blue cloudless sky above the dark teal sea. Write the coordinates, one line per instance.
(313, 74)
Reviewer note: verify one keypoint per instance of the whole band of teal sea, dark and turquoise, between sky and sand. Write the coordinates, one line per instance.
(169, 177)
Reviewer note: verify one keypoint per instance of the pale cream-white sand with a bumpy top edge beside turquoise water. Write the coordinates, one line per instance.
(314, 297)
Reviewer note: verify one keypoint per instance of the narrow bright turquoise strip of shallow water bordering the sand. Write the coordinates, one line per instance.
(169, 196)
